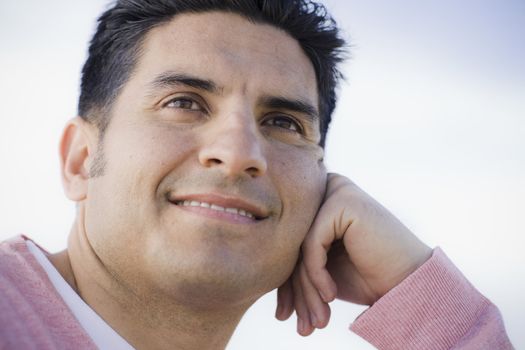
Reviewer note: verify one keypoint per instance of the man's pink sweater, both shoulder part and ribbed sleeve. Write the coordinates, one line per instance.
(434, 308)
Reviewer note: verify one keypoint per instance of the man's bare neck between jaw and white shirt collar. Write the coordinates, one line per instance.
(149, 320)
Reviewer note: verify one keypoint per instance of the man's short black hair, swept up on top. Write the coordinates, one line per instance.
(116, 45)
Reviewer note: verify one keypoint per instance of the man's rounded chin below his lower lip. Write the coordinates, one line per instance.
(218, 269)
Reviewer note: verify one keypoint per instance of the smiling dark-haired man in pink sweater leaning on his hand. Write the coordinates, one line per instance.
(197, 167)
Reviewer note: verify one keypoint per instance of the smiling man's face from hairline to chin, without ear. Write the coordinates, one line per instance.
(218, 113)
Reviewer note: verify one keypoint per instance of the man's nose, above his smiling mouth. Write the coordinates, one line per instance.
(234, 147)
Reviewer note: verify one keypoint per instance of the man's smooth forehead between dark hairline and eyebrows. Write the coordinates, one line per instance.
(232, 51)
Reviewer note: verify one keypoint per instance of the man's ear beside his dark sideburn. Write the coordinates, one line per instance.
(77, 145)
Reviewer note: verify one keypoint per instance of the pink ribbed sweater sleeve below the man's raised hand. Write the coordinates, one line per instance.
(433, 308)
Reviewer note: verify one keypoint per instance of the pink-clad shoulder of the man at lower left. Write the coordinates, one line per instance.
(32, 313)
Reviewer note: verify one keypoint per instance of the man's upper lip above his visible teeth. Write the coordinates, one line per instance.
(224, 201)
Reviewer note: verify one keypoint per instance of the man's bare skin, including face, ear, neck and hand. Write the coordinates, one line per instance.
(165, 275)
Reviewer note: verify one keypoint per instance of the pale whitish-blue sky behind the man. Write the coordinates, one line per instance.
(430, 122)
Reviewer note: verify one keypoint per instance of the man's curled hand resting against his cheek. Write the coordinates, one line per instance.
(355, 250)
